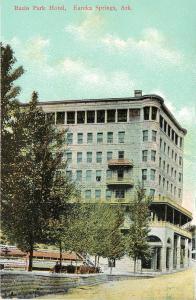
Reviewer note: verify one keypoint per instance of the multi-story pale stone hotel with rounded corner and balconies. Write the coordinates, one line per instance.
(113, 144)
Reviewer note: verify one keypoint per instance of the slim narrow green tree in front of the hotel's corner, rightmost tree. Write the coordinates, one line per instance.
(137, 245)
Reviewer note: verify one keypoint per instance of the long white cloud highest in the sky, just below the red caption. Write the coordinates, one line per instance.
(152, 46)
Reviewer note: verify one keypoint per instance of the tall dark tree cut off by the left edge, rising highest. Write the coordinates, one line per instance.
(9, 112)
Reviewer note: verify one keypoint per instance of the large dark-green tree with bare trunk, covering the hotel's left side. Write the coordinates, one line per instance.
(40, 187)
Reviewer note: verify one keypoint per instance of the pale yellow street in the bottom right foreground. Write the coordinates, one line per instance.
(177, 286)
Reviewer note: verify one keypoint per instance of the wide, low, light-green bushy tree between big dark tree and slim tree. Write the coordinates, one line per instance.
(94, 229)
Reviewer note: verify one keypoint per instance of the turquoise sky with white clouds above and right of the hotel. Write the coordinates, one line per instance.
(75, 54)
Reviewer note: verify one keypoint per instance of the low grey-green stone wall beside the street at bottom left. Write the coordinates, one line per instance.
(30, 285)
